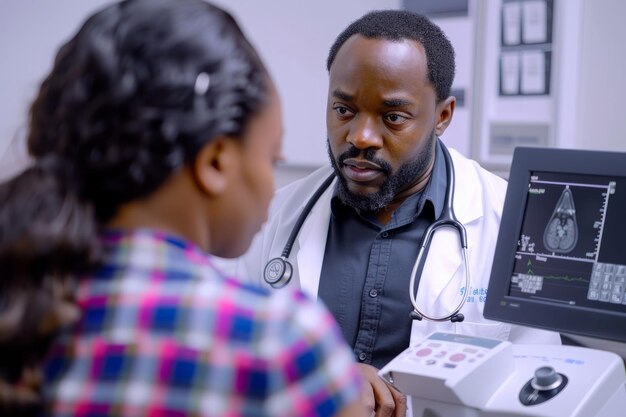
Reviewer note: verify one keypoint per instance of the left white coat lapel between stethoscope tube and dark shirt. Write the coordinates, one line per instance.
(312, 243)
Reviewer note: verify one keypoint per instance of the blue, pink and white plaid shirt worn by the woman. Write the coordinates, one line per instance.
(164, 333)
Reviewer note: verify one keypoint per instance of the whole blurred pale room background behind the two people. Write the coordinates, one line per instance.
(529, 72)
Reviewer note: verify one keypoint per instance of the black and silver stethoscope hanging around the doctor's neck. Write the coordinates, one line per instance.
(278, 271)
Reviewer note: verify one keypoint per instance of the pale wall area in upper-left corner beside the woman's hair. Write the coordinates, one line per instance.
(30, 33)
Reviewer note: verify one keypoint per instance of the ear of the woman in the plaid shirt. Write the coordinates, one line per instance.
(214, 164)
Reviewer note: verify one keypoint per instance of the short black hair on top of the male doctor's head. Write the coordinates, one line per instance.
(396, 25)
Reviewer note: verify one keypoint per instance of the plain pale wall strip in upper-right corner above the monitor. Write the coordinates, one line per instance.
(593, 75)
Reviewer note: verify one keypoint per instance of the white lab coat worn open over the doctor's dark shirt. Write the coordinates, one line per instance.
(478, 200)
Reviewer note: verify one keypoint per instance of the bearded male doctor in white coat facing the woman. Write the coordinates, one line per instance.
(388, 103)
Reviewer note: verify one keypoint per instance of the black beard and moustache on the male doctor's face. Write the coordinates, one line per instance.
(406, 175)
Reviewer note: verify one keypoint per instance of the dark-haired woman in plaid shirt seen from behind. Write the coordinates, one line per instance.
(153, 140)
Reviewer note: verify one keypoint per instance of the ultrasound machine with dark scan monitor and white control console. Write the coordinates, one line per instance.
(560, 264)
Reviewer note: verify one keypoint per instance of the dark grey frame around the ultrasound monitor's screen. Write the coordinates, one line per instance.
(499, 306)
